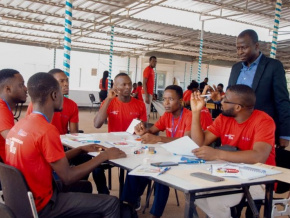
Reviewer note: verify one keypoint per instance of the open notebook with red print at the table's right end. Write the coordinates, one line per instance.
(243, 171)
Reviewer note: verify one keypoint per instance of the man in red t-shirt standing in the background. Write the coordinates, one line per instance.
(148, 83)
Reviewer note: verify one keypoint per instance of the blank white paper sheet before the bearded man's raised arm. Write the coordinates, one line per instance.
(181, 146)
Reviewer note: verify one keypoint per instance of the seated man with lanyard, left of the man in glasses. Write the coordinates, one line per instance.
(177, 123)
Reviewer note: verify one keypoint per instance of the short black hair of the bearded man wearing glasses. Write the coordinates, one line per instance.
(246, 94)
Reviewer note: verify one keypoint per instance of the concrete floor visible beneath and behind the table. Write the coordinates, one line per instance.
(172, 210)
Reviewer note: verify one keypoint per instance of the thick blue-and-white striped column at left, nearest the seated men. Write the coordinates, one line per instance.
(67, 37)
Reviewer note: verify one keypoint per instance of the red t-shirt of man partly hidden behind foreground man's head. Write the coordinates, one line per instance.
(69, 113)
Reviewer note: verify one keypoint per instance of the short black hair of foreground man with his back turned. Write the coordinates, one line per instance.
(40, 85)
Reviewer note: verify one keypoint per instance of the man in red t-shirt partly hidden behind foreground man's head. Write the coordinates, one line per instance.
(68, 118)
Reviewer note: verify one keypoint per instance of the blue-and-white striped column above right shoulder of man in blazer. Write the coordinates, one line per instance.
(276, 28)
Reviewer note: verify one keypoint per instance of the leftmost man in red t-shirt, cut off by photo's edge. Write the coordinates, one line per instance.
(12, 92)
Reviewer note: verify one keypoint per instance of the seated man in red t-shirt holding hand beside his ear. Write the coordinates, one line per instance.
(119, 107)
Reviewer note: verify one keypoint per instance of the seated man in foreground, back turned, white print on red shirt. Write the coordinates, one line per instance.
(33, 146)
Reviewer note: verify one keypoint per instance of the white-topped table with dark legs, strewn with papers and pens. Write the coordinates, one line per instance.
(179, 176)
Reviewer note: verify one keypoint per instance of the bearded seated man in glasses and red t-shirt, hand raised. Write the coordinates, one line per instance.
(251, 131)
